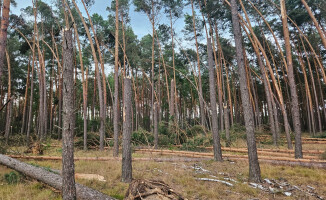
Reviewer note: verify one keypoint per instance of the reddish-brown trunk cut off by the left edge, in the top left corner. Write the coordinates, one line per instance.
(3, 35)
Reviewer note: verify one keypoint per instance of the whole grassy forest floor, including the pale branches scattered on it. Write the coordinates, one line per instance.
(183, 177)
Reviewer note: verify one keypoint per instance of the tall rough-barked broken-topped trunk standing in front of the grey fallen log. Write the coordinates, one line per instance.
(68, 170)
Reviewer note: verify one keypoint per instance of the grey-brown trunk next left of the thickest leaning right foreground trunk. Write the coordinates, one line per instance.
(215, 133)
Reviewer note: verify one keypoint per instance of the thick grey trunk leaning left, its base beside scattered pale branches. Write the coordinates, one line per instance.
(254, 169)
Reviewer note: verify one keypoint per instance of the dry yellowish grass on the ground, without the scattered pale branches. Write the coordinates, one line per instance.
(180, 176)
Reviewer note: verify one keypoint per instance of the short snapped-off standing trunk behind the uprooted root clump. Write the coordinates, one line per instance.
(127, 128)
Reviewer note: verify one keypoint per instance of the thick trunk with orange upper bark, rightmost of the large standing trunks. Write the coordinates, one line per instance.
(293, 88)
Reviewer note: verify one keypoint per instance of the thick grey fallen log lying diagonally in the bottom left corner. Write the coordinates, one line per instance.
(52, 179)
